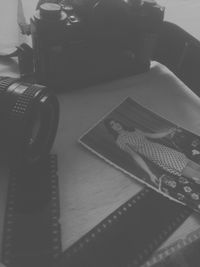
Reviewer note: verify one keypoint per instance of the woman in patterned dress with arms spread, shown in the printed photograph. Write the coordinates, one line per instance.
(139, 144)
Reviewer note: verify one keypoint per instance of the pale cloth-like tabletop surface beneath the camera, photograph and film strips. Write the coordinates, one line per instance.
(91, 189)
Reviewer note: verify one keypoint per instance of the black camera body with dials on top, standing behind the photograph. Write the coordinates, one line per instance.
(78, 43)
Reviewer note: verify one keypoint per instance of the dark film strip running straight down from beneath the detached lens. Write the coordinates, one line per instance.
(31, 228)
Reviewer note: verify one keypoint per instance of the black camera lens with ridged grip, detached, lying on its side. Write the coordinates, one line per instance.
(28, 121)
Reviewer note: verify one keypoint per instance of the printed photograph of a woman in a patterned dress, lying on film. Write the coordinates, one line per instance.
(150, 149)
